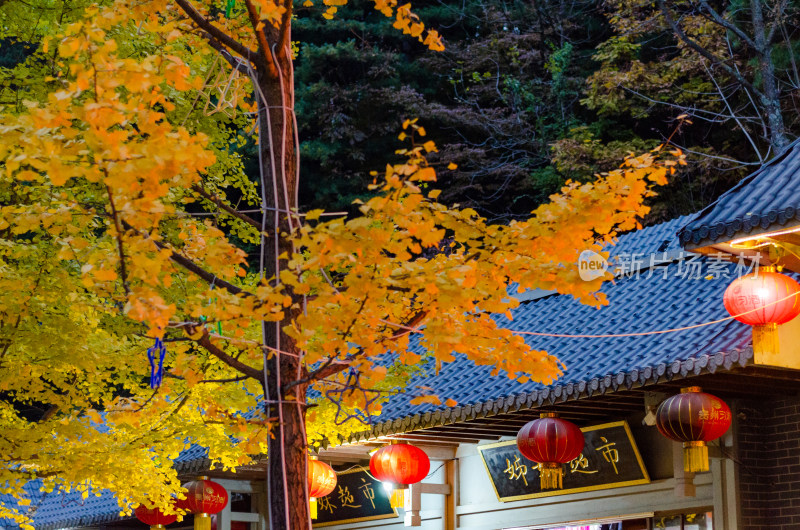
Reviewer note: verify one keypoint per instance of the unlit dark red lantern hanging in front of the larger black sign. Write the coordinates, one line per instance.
(551, 442)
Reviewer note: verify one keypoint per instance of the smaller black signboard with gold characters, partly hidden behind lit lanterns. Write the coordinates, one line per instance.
(357, 497)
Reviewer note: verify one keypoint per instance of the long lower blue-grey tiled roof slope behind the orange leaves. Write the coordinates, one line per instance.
(672, 296)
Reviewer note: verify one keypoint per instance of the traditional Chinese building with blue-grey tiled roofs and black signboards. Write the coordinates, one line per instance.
(669, 278)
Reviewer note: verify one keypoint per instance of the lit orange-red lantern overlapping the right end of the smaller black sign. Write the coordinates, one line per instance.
(397, 466)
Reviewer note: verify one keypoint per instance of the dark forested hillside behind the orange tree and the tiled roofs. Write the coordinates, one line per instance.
(528, 94)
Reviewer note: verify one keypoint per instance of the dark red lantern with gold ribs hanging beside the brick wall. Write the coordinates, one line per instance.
(694, 418)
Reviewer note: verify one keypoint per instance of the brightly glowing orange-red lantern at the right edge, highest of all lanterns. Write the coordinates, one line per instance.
(763, 300)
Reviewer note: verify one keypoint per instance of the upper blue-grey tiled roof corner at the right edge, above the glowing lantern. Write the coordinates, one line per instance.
(765, 200)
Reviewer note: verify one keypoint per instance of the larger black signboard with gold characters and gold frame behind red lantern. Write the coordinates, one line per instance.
(610, 459)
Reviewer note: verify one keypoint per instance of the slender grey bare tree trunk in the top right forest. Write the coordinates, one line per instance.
(770, 100)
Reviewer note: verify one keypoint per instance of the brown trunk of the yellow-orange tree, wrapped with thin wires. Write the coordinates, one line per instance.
(287, 488)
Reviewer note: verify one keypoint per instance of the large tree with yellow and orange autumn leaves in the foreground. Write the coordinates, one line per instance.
(107, 255)
